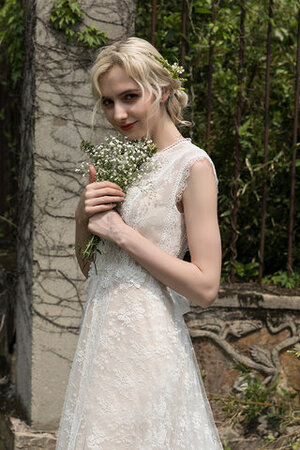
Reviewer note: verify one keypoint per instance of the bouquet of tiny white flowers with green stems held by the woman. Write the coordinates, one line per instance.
(120, 161)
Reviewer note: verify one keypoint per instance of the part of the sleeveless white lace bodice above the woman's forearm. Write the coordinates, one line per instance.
(150, 204)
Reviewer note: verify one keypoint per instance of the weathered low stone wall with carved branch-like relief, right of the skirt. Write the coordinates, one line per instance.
(248, 327)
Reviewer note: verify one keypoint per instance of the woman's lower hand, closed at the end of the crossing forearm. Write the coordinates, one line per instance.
(107, 225)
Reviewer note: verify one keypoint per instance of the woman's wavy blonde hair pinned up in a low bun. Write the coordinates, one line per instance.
(134, 55)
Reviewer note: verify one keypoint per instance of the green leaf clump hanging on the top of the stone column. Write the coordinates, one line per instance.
(65, 15)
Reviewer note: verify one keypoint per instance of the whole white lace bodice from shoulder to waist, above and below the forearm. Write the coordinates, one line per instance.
(150, 207)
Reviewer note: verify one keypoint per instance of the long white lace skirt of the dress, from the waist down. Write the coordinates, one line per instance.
(134, 383)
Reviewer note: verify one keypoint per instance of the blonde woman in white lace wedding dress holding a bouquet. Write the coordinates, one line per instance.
(134, 382)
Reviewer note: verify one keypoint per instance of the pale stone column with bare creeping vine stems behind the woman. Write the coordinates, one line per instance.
(57, 109)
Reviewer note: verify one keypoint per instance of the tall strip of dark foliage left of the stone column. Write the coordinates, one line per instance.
(12, 55)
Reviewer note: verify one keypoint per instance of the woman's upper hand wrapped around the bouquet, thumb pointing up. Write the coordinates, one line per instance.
(97, 197)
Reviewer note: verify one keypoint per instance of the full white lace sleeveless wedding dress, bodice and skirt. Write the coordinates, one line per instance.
(134, 382)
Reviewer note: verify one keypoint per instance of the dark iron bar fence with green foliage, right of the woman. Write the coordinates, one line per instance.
(260, 37)
